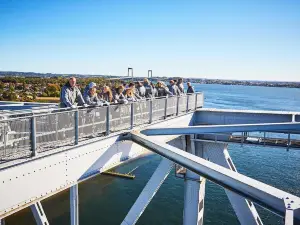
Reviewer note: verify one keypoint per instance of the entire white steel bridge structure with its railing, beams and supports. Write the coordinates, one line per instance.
(39, 145)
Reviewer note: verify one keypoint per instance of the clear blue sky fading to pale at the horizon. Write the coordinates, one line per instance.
(255, 39)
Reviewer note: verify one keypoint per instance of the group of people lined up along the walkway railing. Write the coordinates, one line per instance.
(71, 96)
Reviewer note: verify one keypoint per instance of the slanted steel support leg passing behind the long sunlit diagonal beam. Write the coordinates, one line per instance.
(244, 209)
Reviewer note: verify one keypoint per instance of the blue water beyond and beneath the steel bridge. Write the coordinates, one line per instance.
(106, 200)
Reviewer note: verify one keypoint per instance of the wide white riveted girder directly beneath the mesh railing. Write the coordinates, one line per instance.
(94, 156)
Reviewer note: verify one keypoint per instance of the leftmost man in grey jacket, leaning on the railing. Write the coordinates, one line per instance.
(70, 95)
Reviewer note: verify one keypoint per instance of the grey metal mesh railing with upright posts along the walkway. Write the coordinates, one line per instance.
(32, 133)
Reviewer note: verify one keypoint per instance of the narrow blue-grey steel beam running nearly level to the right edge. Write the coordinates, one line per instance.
(224, 128)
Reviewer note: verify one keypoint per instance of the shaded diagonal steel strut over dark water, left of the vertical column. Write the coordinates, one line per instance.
(148, 192)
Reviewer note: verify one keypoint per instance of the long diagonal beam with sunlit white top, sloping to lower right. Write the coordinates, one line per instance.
(263, 194)
